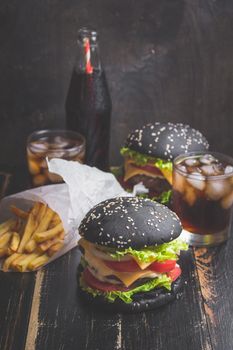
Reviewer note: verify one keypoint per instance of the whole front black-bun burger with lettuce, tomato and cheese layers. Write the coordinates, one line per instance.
(130, 249)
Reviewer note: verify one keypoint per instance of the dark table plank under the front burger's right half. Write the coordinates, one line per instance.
(179, 325)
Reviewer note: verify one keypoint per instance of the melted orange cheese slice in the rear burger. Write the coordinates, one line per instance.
(132, 170)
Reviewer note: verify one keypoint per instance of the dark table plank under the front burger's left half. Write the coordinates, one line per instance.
(62, 321)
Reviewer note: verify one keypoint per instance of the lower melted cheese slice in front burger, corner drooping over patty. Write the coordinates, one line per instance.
(127, 278)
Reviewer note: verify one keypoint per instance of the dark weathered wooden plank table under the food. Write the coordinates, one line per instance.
(42, 310)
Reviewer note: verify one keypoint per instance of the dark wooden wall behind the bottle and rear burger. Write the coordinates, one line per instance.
(166, 60)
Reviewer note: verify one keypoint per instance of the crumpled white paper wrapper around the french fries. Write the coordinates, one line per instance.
(84, 187)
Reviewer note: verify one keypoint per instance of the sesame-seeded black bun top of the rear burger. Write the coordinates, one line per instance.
(166, 140)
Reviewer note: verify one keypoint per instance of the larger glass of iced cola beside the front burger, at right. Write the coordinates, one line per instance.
(203, 196)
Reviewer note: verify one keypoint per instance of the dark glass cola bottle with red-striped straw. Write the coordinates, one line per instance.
(88, 103)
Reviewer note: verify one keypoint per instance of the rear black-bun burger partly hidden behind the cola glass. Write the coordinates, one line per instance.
(148, 153)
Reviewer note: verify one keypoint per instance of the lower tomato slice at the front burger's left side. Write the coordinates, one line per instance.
(103, 286)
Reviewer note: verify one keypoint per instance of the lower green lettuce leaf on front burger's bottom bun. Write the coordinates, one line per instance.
(160, 281)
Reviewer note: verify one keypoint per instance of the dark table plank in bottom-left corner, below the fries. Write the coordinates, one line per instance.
(16, 291)
